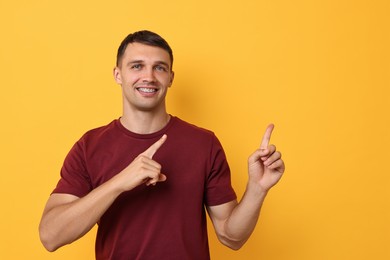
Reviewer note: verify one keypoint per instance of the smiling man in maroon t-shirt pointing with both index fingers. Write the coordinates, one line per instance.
(147, 177)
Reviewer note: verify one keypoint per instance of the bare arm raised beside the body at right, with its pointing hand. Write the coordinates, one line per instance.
(234, 222)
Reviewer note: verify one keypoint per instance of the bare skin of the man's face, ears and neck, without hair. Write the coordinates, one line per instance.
(146, 67)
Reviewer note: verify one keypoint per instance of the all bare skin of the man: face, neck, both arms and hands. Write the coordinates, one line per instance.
(145, 75)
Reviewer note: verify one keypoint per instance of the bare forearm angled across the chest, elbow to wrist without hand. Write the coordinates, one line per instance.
(65, 223)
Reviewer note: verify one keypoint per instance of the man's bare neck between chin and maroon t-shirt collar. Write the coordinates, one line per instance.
(145, 122)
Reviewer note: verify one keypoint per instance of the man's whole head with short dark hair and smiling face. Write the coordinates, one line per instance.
(144, 71)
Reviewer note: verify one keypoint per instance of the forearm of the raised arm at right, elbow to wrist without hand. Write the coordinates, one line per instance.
(243, 219)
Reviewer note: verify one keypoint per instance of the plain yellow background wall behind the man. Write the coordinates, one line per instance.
(319, 70)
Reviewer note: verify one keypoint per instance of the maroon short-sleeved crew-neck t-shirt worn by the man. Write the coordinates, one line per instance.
(166, 221)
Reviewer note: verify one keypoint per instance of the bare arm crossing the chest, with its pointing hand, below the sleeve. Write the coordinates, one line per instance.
(67, 217)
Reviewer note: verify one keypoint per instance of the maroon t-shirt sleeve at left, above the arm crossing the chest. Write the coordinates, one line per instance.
(74, 174)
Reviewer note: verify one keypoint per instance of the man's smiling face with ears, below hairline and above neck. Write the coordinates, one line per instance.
(145, 76)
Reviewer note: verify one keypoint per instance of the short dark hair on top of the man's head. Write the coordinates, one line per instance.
(144, 37)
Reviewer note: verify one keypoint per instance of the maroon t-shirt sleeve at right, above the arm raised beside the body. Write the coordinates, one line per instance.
(219, 189)
